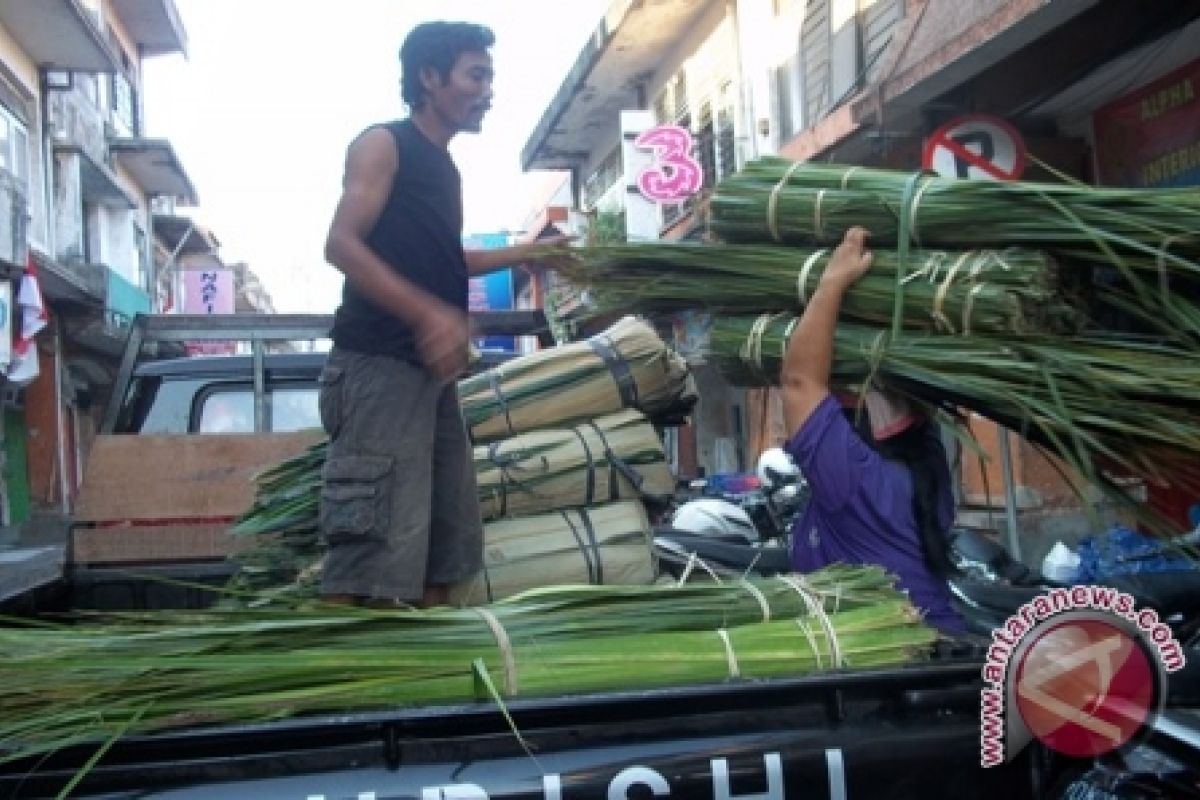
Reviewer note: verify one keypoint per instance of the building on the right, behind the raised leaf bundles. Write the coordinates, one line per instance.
(1100, 91)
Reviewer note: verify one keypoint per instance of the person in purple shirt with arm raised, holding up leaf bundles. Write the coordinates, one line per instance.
(881, 491)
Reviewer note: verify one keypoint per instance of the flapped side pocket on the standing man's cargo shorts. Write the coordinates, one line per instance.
(356, 500)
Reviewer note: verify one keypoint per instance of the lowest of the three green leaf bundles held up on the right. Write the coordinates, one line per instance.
(1100, 405)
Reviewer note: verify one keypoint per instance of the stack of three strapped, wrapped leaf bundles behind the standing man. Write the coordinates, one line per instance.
(562, 501)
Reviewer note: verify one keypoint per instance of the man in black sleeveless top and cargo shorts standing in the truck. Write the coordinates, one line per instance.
(399, 508)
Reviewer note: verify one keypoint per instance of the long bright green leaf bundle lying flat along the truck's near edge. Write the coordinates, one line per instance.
(99, 679)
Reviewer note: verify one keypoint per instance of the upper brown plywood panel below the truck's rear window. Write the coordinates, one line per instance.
(164, 478)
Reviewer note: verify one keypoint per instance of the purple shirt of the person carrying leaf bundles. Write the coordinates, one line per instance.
(862, 512)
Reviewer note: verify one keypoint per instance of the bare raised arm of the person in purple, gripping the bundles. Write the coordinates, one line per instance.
(808, 360)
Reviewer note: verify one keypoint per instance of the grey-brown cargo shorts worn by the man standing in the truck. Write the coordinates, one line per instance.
(399, 508)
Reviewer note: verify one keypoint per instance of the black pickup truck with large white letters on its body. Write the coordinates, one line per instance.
(910, 732)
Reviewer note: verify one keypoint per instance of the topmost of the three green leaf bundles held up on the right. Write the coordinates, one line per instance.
(775, 200)
